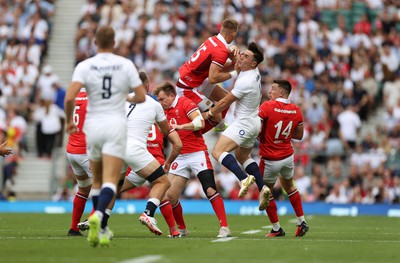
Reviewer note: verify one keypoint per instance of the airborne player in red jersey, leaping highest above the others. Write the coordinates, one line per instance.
(207, 67)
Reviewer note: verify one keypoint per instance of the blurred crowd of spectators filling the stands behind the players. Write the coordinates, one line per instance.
(342, 58)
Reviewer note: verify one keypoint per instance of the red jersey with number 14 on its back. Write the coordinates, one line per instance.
(280, 121)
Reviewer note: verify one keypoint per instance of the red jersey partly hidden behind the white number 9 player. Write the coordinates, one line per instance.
(77, 141)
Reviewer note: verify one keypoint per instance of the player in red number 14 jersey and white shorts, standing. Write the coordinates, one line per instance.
(282, 121)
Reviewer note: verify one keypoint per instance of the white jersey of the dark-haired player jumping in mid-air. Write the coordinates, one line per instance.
(247, 89)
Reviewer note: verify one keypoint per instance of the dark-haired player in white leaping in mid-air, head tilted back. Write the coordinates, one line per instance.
(242, 133)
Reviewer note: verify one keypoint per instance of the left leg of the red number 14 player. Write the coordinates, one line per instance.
(270, 171)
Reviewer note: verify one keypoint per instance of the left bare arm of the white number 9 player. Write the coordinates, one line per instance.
(69, 105)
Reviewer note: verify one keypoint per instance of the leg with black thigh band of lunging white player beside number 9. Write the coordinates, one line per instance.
(155, 174)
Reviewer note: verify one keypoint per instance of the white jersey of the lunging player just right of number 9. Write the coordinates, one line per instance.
(141, 116)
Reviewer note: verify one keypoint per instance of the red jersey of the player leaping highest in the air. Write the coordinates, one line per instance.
(196, 69)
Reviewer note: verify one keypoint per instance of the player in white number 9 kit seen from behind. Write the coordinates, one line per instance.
(108, 79)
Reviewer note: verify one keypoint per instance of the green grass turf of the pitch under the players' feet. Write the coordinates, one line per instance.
(42, 238)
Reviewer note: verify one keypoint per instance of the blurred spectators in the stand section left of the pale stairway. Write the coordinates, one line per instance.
(29, 90)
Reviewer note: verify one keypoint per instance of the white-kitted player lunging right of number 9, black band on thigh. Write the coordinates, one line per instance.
(141, 117)
